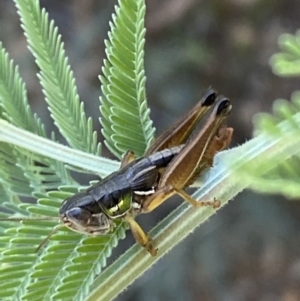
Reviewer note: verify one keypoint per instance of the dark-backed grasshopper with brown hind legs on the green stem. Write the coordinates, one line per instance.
(170, 165)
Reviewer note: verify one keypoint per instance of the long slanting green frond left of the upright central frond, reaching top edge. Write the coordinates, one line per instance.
(56, 77)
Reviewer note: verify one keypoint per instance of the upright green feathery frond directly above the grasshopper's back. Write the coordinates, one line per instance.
(125, 116)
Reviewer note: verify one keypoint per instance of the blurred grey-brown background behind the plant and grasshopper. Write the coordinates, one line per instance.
(250, 249)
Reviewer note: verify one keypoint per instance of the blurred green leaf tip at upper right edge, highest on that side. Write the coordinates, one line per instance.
(287, 62)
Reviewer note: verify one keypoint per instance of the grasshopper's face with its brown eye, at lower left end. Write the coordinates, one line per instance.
(83, 221)
